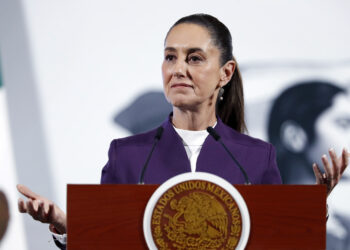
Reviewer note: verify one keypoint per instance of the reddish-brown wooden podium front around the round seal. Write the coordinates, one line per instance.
(111, 216)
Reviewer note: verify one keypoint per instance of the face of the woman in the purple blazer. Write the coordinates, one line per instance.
(191, 67)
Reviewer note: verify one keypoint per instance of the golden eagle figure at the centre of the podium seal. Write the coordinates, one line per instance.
(200, 218)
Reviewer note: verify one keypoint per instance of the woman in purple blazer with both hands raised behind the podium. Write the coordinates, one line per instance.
(202, 82)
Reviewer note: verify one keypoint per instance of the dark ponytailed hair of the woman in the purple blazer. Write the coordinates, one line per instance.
(231, 108)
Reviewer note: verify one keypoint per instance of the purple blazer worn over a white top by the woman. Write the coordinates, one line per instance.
(128, 155)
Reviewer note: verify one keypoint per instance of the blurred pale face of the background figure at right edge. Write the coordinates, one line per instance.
(332, 129)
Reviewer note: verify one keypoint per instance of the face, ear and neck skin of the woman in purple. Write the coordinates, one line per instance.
(192, 76)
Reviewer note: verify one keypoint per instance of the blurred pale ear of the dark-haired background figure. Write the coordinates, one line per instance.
(293, 136)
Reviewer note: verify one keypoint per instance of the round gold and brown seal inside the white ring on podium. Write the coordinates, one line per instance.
(196, 214)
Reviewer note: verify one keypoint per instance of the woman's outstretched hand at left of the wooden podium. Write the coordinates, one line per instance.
(42, 209)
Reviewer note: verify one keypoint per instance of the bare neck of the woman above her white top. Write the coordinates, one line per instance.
(193, 120)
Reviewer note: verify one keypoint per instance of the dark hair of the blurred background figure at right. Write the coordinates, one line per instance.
(302, 103)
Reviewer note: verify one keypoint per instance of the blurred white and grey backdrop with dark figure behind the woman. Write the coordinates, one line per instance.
(76, 74)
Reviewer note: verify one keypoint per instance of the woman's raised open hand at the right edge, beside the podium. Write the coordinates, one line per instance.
(332, 173)
